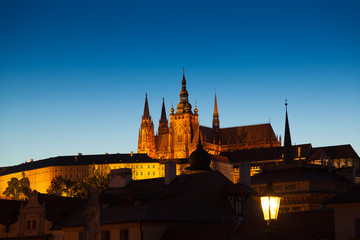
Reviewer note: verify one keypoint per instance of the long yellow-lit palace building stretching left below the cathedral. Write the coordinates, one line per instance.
(41, 173)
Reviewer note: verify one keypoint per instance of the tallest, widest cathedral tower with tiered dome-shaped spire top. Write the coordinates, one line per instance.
(183, 126)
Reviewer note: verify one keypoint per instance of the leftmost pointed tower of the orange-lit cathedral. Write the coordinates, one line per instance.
(146, 143)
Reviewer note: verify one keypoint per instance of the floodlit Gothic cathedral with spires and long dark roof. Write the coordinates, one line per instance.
(179, 138)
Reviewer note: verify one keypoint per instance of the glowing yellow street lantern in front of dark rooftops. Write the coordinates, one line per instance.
(270, 204)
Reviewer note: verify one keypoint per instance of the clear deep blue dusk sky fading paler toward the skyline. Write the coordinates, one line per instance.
(74, 74)
